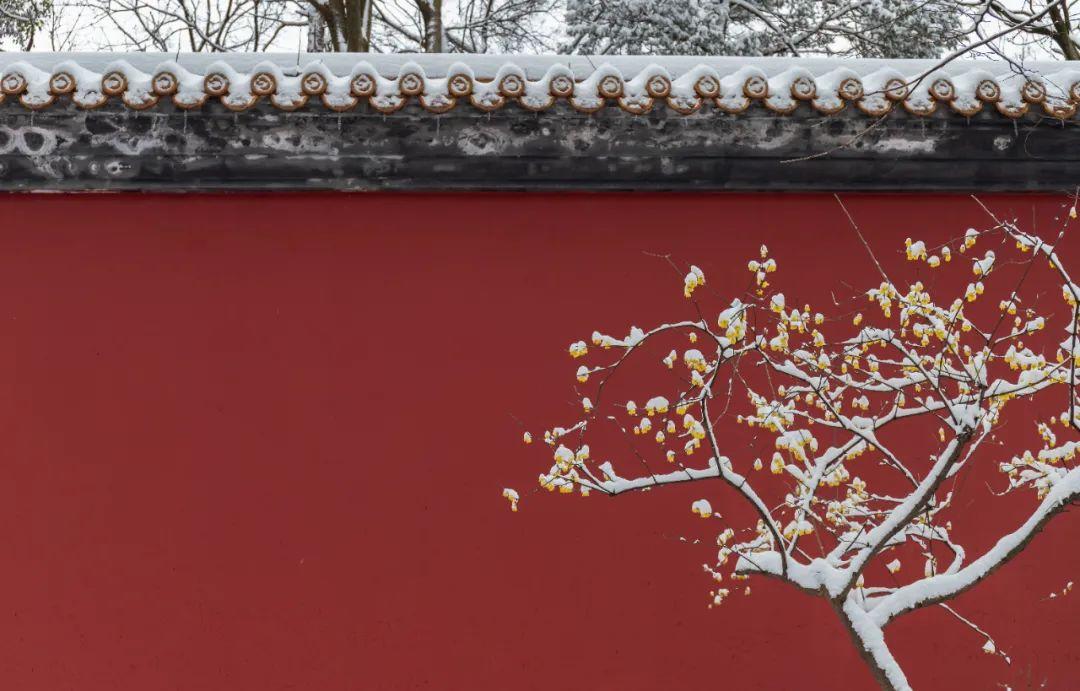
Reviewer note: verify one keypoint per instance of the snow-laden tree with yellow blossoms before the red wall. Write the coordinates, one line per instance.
(834, 441)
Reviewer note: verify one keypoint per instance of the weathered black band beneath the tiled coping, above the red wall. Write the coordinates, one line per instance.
(66, 148)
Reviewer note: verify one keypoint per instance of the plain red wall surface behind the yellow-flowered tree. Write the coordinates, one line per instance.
(259, 442)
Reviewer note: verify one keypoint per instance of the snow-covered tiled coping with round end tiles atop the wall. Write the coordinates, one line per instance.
(537, 83)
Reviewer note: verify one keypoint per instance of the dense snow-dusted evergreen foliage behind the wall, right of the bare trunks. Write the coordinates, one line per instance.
(877, 29)
